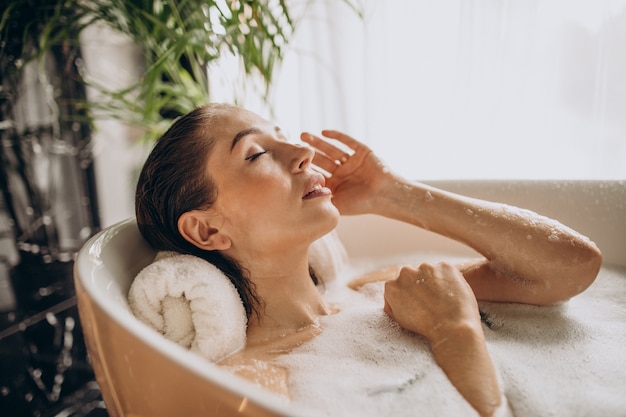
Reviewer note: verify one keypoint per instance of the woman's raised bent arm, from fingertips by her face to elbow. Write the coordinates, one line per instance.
(528, 258)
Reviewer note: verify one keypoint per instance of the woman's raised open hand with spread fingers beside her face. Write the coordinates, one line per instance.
(355, 177)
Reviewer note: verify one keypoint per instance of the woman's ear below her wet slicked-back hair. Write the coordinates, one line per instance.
(201, 229)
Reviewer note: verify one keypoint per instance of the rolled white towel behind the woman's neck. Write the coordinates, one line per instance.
(192, 303)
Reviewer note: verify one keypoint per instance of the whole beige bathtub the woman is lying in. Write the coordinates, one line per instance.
(143, 374)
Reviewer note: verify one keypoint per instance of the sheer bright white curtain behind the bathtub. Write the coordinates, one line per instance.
(465, 89)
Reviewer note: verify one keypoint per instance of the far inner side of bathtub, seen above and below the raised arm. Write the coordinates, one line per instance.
(601, 215)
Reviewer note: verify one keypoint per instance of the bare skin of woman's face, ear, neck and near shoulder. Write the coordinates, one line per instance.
(271, 206)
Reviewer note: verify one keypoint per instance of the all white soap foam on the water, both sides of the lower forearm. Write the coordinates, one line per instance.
(560, 360)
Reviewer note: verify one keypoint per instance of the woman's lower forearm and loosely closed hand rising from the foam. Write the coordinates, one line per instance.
(436, 302)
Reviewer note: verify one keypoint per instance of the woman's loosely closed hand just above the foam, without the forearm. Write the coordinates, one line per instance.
(431, 300)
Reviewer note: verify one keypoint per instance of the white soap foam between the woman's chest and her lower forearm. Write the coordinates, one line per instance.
(364, 364)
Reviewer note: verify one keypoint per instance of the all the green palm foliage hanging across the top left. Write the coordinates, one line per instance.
(179, 40)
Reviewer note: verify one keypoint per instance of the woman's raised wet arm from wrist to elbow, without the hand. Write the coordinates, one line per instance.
(529, 258)
